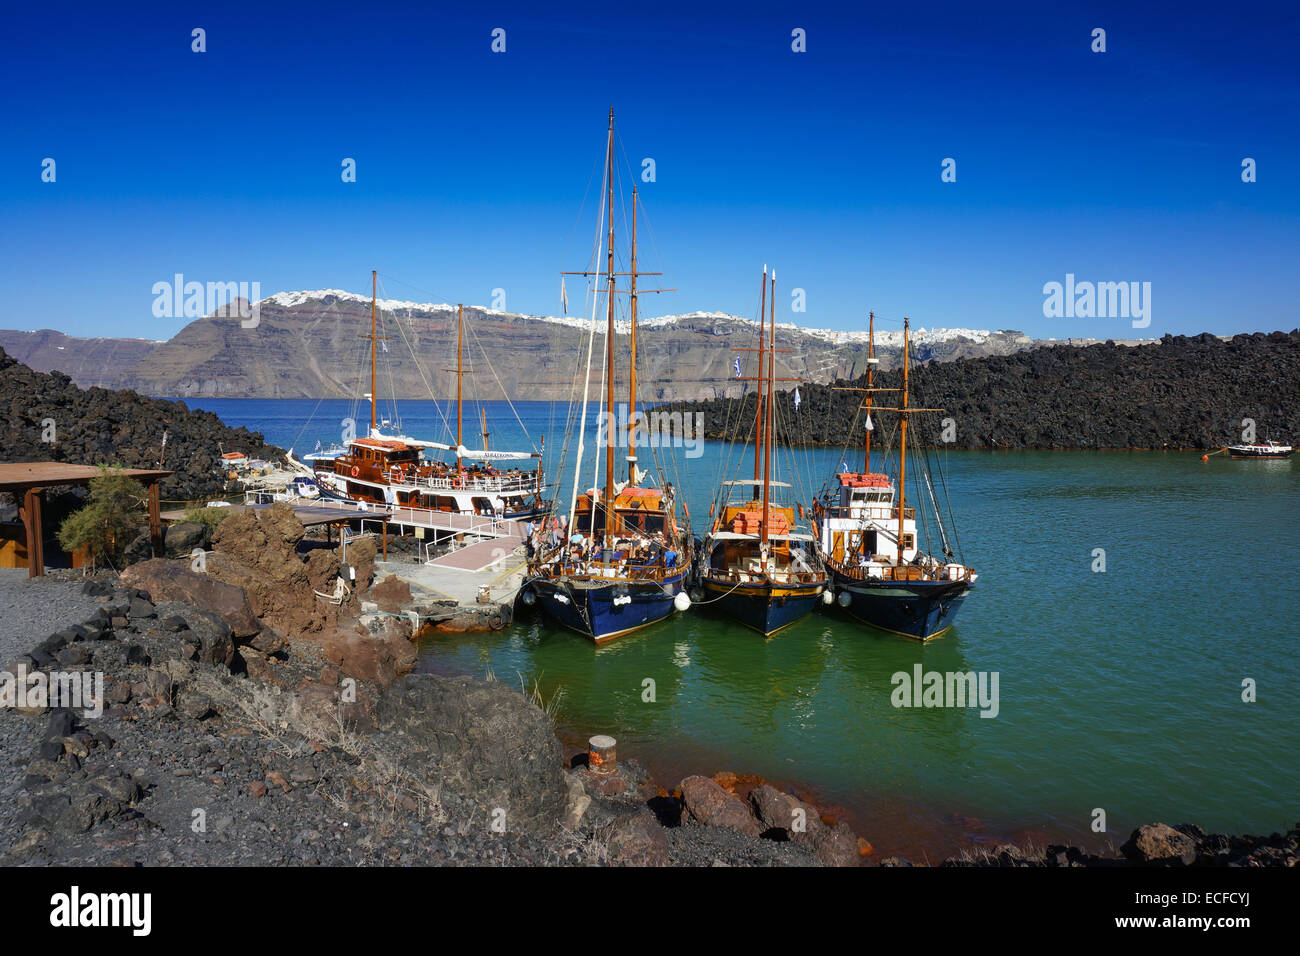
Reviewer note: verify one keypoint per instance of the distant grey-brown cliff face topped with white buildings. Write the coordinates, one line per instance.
(311, 345)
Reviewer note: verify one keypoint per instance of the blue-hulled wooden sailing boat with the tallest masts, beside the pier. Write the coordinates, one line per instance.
(622, 563)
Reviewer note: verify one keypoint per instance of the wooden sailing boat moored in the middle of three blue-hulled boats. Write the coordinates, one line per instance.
(759, 565)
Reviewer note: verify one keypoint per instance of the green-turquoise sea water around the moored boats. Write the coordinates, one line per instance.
(1119, 690)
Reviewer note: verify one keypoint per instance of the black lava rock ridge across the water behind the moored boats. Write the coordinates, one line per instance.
(1182, 392)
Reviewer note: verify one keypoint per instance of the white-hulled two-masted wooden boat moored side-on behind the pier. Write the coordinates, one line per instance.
(392, 469)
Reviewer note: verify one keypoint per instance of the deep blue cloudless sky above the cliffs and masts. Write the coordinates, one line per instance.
(473, 166)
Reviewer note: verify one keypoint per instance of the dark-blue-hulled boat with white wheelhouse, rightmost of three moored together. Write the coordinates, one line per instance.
(868, 537)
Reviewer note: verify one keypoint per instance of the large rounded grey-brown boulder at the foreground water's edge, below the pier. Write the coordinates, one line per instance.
(479, 741)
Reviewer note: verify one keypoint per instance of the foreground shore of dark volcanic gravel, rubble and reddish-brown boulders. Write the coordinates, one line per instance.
(248, 721)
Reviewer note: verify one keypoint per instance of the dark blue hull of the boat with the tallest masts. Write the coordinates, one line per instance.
(599, 612)
